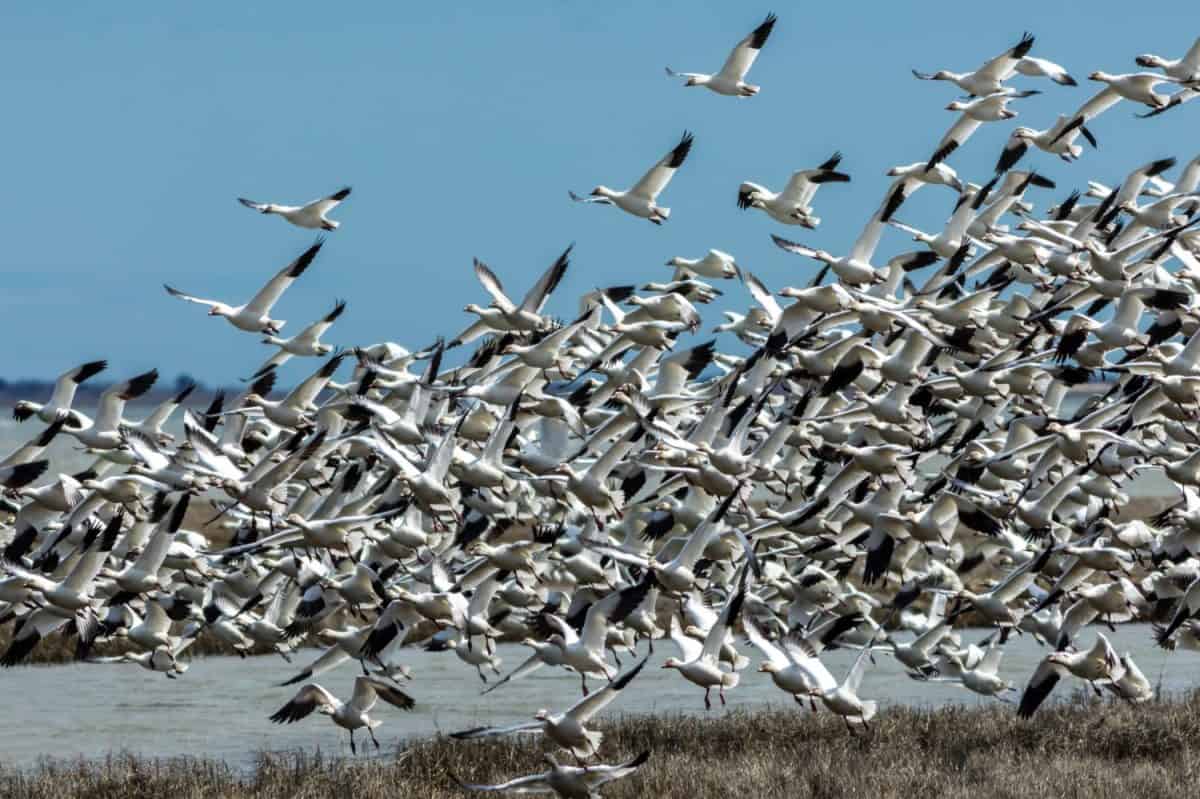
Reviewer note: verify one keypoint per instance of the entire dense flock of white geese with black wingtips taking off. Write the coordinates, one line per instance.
(891, 460)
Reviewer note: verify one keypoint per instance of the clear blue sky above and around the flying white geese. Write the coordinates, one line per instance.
(131, 128)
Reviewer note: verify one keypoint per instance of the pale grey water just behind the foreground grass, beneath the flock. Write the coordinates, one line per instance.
(220, 707)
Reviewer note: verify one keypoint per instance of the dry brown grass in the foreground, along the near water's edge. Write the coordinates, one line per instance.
(1071, 750)
